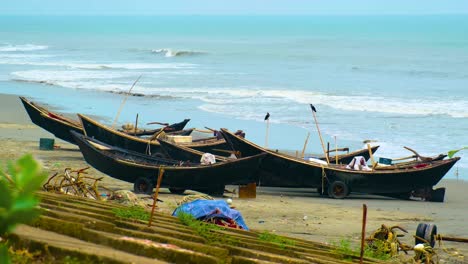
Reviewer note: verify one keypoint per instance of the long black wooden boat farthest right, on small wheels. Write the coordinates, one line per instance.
(280, 170)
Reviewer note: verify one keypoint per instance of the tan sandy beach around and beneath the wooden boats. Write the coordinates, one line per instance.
(292, 212)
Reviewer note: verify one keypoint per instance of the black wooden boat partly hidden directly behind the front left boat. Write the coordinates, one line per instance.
(148, 146)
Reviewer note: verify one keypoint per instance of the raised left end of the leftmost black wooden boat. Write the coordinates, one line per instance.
(59, 128)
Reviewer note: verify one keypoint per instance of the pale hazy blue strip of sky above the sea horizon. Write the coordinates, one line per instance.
(231, 7)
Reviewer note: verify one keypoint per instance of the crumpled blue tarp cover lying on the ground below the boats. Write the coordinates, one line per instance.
(205, 209)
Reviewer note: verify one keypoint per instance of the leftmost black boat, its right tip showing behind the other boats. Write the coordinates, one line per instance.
(61, 126)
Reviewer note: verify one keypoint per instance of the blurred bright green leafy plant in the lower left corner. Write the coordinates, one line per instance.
(18, 203)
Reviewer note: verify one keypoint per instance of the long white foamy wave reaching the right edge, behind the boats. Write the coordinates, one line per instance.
(278, 98)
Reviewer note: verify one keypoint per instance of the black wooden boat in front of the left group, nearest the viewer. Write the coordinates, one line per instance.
(143, 170)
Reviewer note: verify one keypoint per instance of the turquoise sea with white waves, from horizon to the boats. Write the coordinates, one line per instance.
(400, 80)
